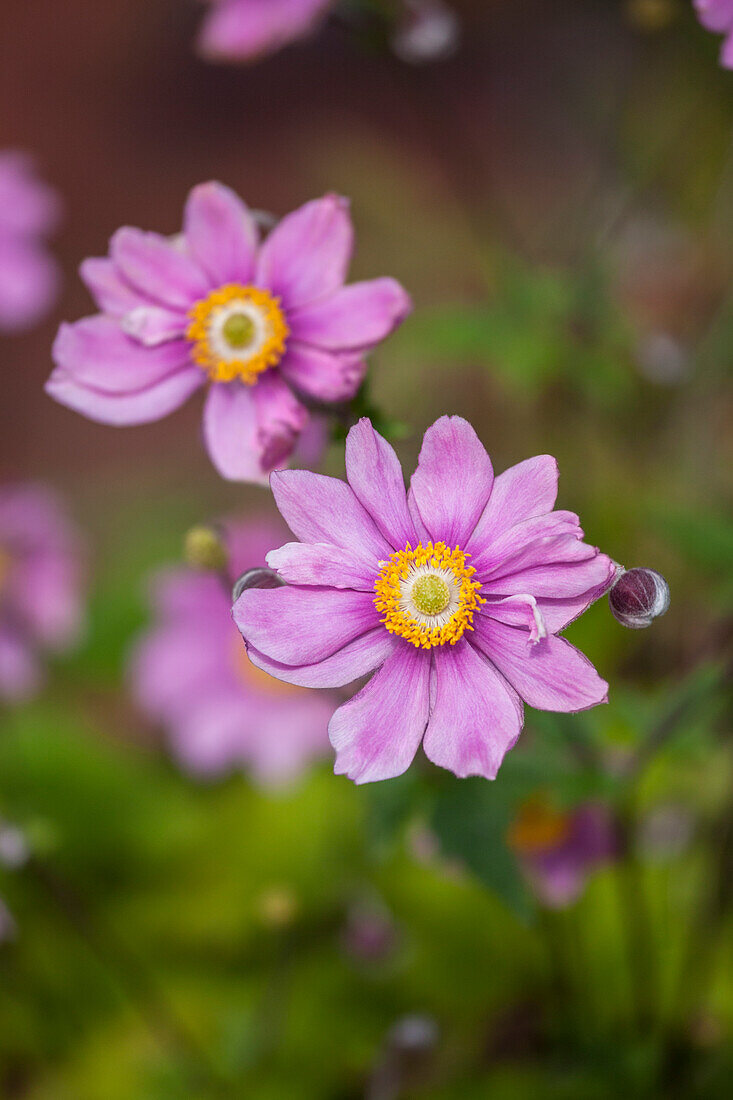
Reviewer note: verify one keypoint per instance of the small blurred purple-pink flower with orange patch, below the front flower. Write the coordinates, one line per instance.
(561, 851)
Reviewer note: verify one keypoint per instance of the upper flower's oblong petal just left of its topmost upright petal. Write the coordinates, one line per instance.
(158, 269)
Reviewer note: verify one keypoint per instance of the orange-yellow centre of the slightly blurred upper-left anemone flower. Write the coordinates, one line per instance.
(238, 333)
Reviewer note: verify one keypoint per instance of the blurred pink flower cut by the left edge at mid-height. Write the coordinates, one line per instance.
(41, 607)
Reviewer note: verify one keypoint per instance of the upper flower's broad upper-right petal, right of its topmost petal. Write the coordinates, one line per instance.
(308, 255)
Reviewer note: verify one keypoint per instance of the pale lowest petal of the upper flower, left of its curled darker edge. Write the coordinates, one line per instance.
(231, 432)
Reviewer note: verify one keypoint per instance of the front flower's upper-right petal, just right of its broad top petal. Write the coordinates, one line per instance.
(522, 492)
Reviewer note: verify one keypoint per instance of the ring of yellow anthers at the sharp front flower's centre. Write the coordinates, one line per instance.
(429, 625)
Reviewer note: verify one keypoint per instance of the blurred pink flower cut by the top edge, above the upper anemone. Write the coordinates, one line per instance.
(245, 30)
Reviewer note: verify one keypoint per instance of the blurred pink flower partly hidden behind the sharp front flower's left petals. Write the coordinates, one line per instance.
(192, 675)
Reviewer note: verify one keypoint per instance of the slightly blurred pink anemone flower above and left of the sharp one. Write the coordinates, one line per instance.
(260, 324)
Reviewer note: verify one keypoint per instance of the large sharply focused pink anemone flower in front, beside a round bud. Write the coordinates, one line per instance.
(454, 592)
